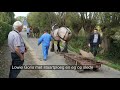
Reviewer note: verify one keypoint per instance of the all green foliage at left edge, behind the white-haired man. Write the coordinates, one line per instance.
(6, 20)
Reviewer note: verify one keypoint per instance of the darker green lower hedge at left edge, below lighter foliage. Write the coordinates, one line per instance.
(4, 30)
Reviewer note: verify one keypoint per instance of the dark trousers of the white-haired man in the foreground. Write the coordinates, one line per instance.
(15, 62)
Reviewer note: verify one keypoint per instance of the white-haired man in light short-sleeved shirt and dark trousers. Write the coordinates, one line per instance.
(17, 48)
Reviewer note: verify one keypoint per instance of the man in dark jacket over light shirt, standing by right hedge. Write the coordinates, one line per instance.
(94, 42)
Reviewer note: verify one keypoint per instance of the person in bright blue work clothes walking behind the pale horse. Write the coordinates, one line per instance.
(45, 40)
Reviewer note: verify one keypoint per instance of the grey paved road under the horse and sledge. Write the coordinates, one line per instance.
(56, 59)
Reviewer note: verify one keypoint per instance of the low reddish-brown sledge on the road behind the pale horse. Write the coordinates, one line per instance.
(76, 59)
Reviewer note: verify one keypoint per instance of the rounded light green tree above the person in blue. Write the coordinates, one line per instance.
(42, 20)
